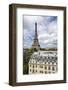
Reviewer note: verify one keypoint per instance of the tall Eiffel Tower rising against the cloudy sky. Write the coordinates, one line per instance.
(35, 44)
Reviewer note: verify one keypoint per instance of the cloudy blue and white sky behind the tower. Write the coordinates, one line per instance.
(46, 29)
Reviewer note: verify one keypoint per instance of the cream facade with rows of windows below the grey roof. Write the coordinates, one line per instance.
(38, 68)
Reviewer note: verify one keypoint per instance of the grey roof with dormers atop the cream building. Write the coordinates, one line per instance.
(45, 56)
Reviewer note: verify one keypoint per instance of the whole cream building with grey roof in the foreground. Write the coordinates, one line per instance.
(43, 62)
